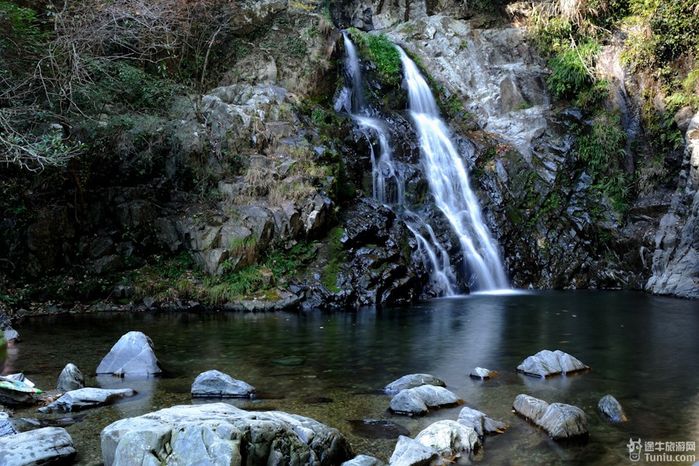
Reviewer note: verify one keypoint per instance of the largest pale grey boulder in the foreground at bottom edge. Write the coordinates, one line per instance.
(221, 434)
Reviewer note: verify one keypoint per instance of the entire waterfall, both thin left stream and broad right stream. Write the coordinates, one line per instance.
(446, 174)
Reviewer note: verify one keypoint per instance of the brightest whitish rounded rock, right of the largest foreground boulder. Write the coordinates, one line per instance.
(450, 439)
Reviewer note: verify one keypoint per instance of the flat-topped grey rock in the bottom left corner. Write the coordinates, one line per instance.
(40, 447)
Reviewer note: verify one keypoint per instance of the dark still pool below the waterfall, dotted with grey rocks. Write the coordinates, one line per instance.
(644, 350)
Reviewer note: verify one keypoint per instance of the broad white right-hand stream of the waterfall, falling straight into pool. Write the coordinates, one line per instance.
(448, 180)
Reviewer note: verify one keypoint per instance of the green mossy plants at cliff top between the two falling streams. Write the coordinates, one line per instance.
(378, 49)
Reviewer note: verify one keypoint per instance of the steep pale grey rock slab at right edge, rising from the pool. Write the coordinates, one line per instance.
(676, 257)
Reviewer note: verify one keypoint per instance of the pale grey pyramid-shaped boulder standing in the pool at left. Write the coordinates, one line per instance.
(131, 355)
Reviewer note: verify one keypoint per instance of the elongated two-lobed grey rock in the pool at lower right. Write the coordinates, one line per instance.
(560, 421)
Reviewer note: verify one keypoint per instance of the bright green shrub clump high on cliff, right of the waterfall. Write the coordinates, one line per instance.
(570, 70)
